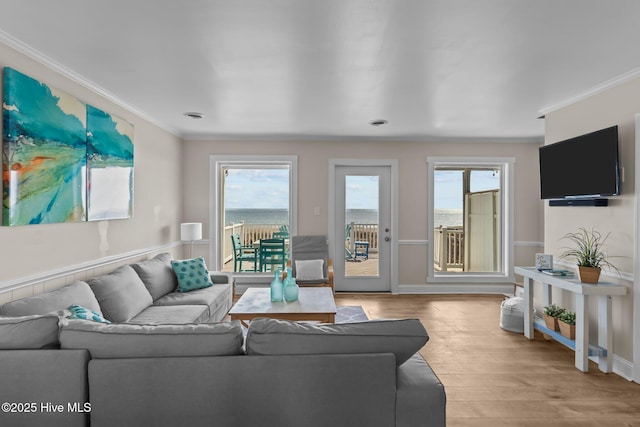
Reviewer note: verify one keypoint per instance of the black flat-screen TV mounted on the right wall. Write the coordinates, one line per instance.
(584, 166)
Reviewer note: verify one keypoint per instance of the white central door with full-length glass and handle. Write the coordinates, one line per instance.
(362, 233)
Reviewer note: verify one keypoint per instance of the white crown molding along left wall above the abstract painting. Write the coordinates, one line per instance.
(52, 64)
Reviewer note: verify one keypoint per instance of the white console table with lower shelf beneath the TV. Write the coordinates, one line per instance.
(581, 292)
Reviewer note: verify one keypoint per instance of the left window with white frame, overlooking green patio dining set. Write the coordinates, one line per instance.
(253, 198)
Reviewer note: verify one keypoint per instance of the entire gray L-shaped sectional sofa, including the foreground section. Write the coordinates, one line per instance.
(165, 364)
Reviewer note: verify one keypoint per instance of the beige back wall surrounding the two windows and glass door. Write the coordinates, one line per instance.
(313, 181)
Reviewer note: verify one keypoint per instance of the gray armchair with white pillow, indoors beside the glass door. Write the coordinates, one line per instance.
(306, 252)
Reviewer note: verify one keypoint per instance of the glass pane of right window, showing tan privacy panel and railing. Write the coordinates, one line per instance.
(467, 222)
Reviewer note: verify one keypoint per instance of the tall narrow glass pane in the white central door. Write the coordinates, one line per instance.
(362, 195)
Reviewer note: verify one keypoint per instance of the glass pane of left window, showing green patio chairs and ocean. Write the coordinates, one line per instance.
(255, 206)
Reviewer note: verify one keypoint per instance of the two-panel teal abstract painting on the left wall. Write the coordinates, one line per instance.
(62, 160)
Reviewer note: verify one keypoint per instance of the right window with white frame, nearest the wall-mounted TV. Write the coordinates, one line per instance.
(470, 236)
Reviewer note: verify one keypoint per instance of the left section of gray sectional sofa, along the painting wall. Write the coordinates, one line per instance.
(143, 292)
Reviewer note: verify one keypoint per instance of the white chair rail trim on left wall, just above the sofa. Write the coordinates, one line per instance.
(21, 282)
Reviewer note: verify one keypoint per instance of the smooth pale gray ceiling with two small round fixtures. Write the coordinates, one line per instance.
(323, 69)
